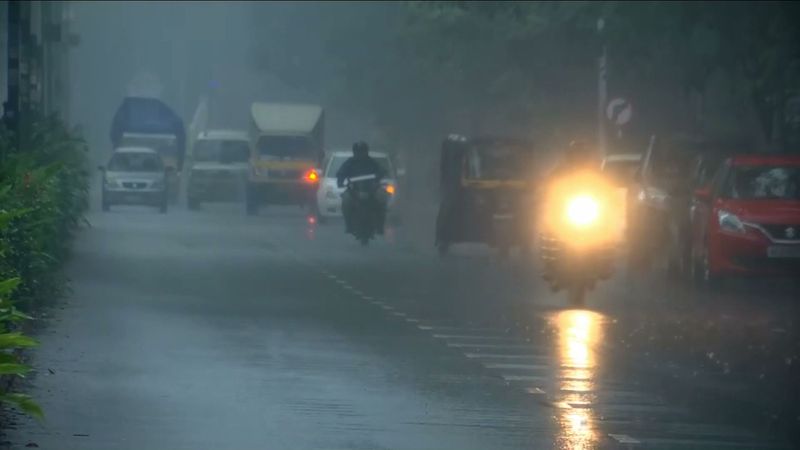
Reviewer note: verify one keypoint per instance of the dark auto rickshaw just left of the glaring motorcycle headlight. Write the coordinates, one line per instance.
(486, 193)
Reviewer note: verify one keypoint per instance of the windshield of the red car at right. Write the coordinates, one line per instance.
(763, 182)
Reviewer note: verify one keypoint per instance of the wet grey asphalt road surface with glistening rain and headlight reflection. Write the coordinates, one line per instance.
(211, 330)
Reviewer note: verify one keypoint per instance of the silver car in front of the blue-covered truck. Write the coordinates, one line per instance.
(135, 175)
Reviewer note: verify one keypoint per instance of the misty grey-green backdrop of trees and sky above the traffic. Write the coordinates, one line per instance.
(402, 75)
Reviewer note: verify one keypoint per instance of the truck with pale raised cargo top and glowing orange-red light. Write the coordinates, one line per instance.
(287, 142)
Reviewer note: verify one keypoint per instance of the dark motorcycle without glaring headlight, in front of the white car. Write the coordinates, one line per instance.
(364, 192)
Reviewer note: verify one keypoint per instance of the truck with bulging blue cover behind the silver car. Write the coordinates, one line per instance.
(149, 122)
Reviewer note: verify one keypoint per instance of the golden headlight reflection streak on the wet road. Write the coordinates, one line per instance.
(578, 333)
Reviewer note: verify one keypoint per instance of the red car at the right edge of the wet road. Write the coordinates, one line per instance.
(747, 221)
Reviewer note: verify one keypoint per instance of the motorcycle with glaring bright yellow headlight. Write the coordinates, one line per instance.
(580, 235)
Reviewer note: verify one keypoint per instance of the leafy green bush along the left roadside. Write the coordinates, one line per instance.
(43, 196)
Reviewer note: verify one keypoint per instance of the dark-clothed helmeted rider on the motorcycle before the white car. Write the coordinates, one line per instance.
(361, 164)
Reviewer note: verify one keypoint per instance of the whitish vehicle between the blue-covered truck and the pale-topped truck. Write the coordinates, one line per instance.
(219, 166)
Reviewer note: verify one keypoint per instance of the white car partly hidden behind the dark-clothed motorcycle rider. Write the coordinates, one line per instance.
(329, 196)
